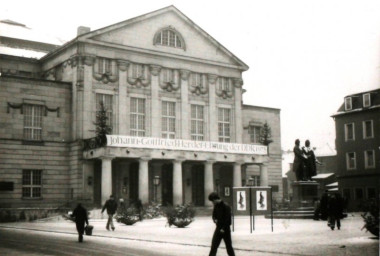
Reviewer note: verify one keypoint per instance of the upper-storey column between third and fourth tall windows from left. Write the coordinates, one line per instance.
(185, 107)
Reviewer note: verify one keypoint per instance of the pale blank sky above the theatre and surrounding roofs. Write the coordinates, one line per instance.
(304, 56)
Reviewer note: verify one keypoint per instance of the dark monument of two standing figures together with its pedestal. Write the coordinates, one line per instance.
(305, 191)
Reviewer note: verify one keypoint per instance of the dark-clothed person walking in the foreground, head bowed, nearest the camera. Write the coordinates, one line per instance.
(222, 218)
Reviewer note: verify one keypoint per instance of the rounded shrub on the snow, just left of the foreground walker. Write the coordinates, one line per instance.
(180, 216)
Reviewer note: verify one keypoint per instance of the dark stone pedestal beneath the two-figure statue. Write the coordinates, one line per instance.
(304, 194)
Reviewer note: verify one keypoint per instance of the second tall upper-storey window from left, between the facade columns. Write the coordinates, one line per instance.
(137, 117)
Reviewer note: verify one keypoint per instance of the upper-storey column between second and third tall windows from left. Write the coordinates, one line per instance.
(155, 106)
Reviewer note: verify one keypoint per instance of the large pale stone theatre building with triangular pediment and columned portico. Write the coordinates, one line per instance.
(173, 96)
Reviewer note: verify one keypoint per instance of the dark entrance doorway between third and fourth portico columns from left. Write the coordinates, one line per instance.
(197, 181)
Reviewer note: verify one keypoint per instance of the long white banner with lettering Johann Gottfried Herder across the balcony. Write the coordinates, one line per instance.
(188, 145)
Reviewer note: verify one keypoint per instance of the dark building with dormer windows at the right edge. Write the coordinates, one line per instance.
(357, 125)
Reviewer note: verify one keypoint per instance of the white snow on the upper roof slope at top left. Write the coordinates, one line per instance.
(12, 29)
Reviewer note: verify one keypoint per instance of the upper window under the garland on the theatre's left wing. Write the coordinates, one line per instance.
(33, 122)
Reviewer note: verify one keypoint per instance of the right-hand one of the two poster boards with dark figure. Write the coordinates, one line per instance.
(261, 200)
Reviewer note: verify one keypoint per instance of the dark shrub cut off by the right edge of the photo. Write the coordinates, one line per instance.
(371, 217)
